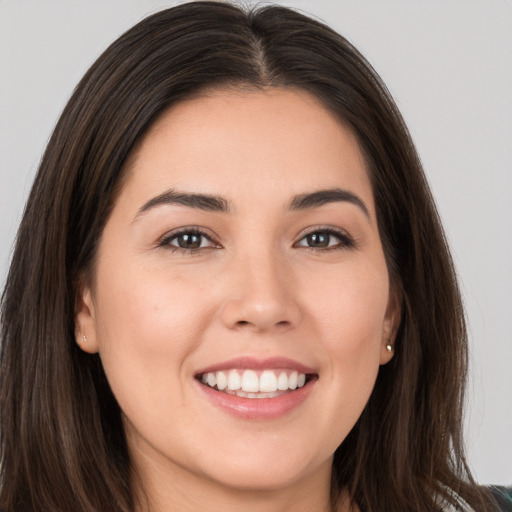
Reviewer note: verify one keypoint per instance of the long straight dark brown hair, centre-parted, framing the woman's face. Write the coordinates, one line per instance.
(61, 439)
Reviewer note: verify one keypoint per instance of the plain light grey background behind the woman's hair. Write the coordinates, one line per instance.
(448, 63)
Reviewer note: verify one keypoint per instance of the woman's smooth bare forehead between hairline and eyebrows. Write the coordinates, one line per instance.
(267, 142)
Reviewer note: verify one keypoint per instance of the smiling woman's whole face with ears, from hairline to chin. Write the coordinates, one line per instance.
(242, 253)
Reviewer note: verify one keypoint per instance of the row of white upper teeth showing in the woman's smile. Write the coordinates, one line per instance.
(250, 381)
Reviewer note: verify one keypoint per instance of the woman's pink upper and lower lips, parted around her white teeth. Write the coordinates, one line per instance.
(260, 408)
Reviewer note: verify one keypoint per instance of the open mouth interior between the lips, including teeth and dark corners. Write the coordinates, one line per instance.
(255, 383)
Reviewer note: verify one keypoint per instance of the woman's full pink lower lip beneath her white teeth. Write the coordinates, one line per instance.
(258, 408)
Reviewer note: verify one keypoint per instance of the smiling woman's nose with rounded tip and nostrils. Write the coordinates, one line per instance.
(262, 296)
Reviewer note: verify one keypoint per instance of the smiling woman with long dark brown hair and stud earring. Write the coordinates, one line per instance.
(231, 298)
